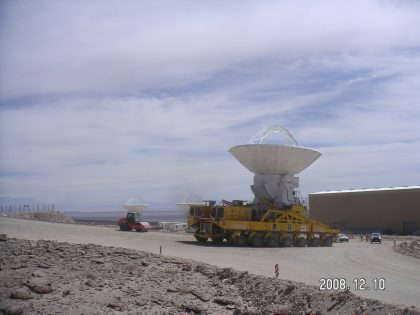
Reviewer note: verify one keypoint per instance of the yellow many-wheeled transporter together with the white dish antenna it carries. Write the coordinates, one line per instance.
(277, 217)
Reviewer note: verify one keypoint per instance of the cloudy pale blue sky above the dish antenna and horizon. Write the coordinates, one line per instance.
(101, 101)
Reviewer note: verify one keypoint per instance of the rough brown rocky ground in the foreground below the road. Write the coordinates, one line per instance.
(46, 277)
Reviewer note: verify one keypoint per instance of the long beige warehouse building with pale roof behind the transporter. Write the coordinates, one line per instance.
(386, 210)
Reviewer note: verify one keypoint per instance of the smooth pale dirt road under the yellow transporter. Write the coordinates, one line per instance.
(308, 265)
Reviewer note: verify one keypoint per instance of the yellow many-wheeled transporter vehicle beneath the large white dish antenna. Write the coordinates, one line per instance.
(258, 225)
